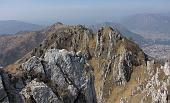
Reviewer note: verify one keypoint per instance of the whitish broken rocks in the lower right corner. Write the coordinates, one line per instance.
(156, 87)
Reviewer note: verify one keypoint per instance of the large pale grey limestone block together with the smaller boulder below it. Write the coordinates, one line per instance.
(67, 79)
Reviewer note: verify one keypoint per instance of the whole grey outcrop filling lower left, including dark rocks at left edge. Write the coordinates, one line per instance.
(59, 77)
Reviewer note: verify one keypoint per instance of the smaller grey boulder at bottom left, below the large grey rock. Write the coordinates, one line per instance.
(38, 92)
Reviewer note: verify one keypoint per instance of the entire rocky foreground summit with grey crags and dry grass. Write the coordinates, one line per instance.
(76, 65)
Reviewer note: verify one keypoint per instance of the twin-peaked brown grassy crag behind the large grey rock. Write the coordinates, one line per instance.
(115, 54)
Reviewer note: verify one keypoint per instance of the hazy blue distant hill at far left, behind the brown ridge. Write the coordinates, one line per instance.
(14, 26)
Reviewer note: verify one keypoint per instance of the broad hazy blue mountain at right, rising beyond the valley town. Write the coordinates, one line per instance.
(150, 26)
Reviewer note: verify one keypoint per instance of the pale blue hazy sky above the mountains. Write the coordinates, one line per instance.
(77, 11)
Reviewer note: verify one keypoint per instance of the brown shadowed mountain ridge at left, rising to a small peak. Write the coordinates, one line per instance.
(13, 47)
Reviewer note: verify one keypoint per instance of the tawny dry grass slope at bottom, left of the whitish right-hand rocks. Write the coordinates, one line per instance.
(125, 91)
